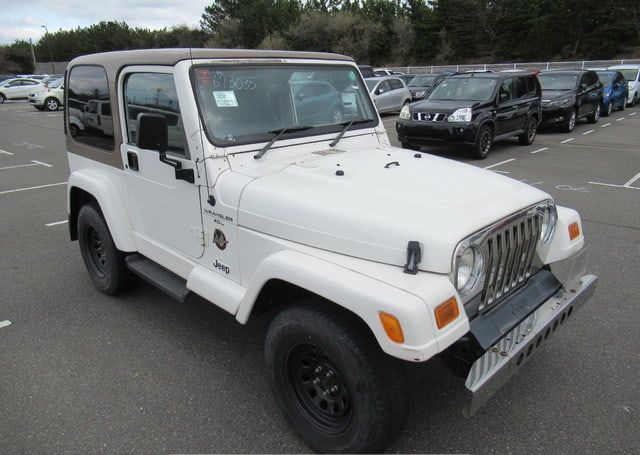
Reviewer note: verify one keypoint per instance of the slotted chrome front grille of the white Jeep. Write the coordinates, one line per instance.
(509, 254)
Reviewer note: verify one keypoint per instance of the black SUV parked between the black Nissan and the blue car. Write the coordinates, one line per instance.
(569, 95)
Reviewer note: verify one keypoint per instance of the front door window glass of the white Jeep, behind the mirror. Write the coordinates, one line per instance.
(154, 93)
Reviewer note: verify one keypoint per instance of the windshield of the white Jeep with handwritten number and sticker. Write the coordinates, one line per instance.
(242, 104)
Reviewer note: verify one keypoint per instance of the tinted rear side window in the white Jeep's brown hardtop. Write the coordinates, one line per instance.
(87, 89)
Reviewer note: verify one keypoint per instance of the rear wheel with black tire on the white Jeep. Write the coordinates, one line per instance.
(105, 264)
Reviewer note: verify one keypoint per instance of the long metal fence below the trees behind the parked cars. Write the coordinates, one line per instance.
(513, 66)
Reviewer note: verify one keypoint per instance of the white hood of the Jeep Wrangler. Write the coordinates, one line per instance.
(373, 211)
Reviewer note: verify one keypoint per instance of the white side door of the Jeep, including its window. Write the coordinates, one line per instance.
(164, 209)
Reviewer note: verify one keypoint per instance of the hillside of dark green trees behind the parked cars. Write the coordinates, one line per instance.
(391, 32)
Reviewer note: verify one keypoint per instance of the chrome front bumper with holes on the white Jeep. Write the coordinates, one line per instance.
(504, 358)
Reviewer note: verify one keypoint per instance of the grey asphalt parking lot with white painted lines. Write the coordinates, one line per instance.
(82, 372)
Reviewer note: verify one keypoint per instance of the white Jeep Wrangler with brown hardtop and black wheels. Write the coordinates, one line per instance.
(265, 180)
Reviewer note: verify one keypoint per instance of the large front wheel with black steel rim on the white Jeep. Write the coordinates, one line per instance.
(333, 384)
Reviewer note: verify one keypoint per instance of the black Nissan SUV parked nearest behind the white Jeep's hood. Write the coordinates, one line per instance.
(476, 110)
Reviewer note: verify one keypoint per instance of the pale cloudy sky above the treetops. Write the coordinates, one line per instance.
(23, 19)
